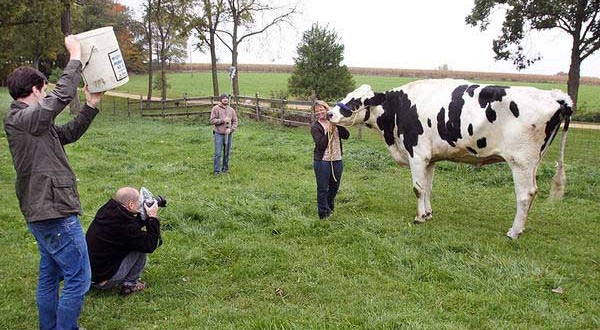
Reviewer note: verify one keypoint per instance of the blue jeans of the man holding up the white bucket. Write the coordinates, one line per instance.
(63, 256)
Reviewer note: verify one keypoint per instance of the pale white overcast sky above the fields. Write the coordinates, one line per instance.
(417, 34)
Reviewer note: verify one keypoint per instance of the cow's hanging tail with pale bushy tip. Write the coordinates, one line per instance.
(559, 181)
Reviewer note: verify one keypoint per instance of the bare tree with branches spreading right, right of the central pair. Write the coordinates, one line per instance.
(243, 19)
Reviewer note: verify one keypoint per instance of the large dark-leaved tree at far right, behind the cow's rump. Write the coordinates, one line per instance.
(578, 18)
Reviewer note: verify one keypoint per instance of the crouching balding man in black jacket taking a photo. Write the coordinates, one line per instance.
(123, 232)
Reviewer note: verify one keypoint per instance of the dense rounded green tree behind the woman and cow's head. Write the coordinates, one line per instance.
(318, 66)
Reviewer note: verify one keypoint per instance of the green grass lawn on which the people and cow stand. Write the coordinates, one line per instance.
(247, 250)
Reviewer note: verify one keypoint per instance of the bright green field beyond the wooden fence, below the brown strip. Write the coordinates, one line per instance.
(268, 84)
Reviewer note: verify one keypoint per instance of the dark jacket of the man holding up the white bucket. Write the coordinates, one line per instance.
(45, 184)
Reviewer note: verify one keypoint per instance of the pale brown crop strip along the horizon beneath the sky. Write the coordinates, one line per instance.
(472, 75)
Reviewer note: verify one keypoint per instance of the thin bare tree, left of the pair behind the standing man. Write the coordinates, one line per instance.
(206, 28)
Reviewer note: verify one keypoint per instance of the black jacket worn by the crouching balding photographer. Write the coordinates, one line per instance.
(114, 233)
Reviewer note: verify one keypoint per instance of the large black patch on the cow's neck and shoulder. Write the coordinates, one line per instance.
(400, 113)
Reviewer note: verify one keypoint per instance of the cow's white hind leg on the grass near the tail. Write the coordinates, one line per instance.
(525, 191)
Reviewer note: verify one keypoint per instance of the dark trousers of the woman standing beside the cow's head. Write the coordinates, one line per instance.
(328, 183)
